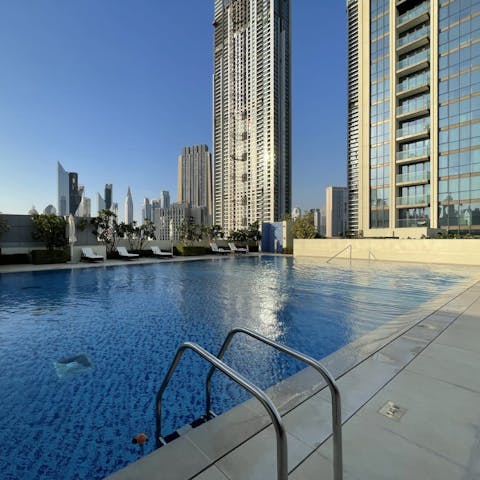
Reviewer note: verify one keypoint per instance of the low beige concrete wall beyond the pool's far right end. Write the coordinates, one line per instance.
(440, 251)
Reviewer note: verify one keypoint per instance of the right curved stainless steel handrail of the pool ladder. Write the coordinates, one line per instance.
(335, 393)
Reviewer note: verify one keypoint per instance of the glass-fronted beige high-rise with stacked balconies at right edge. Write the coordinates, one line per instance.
(414, 69)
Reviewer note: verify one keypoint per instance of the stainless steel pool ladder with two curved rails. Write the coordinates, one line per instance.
(280, 432)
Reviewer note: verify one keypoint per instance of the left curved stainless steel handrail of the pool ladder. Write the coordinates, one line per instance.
(282, 459)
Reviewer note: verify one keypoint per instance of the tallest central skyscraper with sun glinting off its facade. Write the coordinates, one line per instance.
(251, 117)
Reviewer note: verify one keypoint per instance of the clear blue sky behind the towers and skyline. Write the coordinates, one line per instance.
(113, 89)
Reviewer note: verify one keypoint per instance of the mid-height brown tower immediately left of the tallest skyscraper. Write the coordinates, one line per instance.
(195, 177)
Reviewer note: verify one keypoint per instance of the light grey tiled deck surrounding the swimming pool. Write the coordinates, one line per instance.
(429, 369)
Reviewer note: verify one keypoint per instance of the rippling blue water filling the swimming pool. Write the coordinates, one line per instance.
(83, 352)
